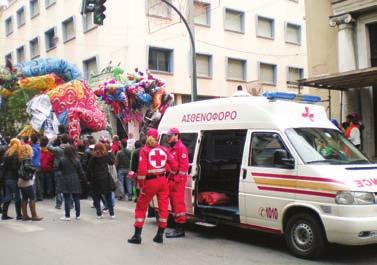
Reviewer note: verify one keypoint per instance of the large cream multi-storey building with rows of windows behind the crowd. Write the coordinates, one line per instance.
(252, 43)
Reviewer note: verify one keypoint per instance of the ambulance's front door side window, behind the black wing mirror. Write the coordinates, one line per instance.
(264, 148)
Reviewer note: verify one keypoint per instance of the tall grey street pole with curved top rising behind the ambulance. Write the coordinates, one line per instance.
(189, 26)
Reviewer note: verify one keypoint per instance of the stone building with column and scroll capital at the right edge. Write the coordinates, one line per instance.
(356, 25)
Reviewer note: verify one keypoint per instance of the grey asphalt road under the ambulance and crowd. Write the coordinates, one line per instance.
(100, 242)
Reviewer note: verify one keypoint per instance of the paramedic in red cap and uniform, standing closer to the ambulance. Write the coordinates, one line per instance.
(177, 182)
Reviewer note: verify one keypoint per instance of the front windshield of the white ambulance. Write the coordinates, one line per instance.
(324, 146)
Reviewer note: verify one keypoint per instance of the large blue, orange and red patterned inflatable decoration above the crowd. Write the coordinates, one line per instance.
(63, 99)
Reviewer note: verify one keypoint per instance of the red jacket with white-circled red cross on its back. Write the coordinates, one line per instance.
(154, 161)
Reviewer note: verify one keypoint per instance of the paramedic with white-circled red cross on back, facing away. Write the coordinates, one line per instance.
(153, 162)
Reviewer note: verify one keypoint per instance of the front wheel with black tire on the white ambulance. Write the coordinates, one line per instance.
(305, 237)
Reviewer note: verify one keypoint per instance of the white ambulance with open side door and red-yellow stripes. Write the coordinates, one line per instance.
(283, 165)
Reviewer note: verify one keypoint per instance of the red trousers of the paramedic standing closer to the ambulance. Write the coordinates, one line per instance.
(177, 187)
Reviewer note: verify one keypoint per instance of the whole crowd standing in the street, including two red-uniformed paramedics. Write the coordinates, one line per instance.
(37, 168)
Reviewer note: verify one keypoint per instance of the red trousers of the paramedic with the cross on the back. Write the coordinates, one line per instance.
(160, 187)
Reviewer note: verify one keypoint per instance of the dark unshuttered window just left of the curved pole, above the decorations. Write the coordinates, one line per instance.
(160, 60)
